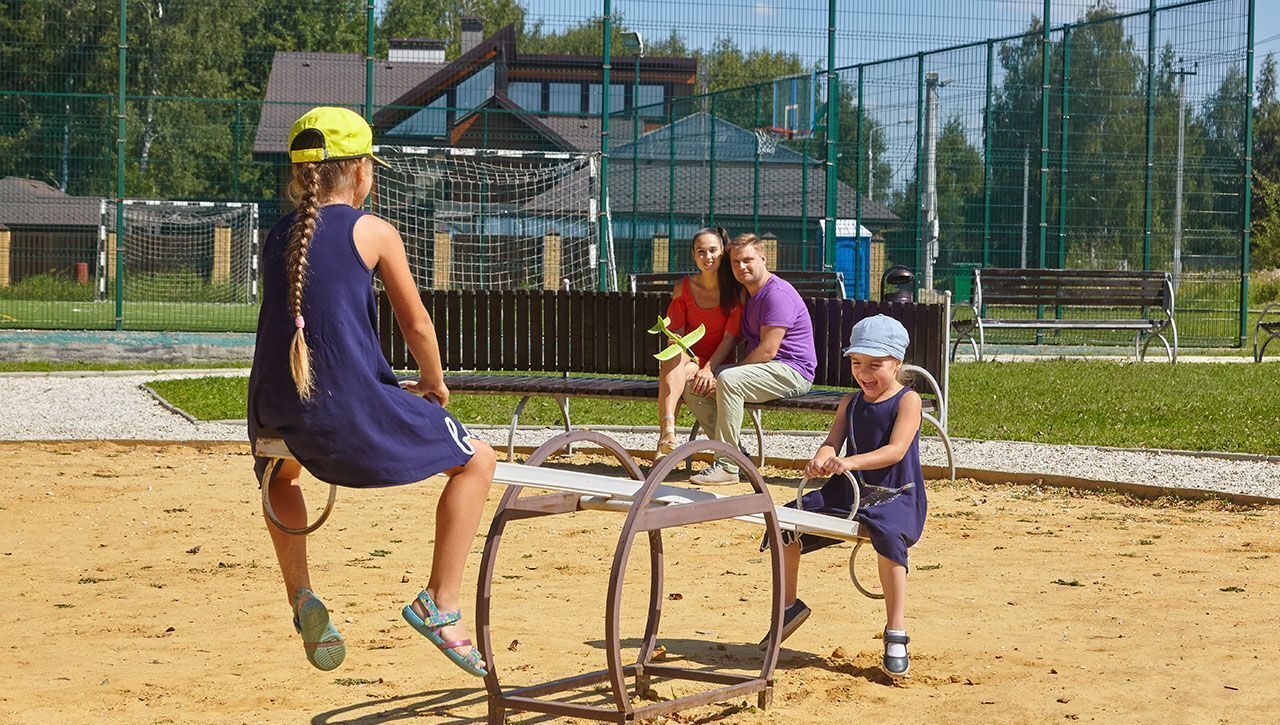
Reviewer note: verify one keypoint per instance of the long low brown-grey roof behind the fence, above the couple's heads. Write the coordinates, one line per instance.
(780, 193)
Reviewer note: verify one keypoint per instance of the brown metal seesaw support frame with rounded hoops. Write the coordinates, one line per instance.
(650, 509)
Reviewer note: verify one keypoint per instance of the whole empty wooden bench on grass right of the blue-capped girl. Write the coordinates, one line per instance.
(996, 293)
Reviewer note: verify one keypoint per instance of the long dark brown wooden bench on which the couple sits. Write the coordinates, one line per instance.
(591, 339)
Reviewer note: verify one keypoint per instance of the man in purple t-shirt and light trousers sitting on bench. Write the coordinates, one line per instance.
(780, 355)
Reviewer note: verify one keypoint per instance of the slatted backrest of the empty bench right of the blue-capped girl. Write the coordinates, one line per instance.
(1073, 288)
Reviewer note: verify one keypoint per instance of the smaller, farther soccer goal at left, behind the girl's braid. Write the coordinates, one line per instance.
(180, 252)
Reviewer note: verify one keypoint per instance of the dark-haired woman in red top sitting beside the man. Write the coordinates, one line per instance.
(714, 298)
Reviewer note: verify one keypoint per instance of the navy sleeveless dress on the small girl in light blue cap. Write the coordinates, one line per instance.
(893, 507)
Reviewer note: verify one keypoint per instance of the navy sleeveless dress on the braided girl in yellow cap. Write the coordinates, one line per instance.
(359, 428)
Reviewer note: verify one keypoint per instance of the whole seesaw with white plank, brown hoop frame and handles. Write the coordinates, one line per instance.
(650, 507)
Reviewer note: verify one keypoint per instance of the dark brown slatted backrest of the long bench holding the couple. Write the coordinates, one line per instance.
(604, 334)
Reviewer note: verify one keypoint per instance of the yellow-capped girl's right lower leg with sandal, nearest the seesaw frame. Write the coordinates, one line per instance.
(458, 519)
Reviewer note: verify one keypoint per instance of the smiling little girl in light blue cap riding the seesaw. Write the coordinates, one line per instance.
(880, 427)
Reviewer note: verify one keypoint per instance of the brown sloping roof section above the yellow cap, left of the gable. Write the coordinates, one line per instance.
(300, 81)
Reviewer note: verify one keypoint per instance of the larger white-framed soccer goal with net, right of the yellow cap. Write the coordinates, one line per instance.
(496, 220)
